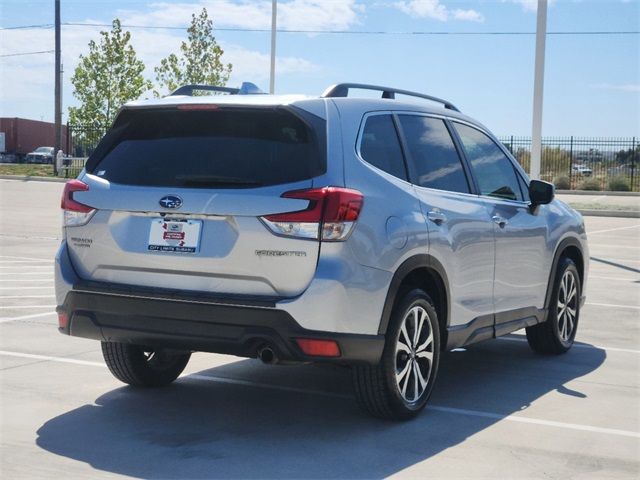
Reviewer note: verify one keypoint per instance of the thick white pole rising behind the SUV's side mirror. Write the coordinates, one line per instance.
(538, 88)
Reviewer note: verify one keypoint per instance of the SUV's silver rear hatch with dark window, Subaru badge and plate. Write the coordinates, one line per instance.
(175, 198)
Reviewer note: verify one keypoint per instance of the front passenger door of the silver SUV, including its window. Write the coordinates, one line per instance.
(522, 266)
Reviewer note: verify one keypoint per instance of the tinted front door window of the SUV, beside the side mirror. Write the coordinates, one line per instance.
(493, 170)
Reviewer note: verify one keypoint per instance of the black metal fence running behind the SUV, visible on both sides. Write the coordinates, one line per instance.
(571, 163)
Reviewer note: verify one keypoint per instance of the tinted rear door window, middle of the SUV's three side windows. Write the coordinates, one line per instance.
(433, 155)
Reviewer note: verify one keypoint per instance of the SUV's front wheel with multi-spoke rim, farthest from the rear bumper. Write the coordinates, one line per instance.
(557, 334)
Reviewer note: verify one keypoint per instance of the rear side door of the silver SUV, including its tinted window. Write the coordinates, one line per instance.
(461, 234)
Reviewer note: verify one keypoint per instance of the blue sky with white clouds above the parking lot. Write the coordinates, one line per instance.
(592, 82)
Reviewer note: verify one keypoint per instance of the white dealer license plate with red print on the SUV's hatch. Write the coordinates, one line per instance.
(182, 236)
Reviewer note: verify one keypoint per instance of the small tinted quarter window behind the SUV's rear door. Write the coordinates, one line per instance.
(380, 145)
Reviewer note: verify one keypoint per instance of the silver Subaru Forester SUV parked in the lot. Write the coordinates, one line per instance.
(369, 232)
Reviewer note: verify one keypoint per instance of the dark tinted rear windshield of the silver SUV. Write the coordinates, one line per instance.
(220, 148)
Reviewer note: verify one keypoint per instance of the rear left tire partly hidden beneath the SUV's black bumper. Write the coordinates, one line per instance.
(141, 366)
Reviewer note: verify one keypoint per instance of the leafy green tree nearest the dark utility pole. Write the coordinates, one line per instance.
(106, 78)
